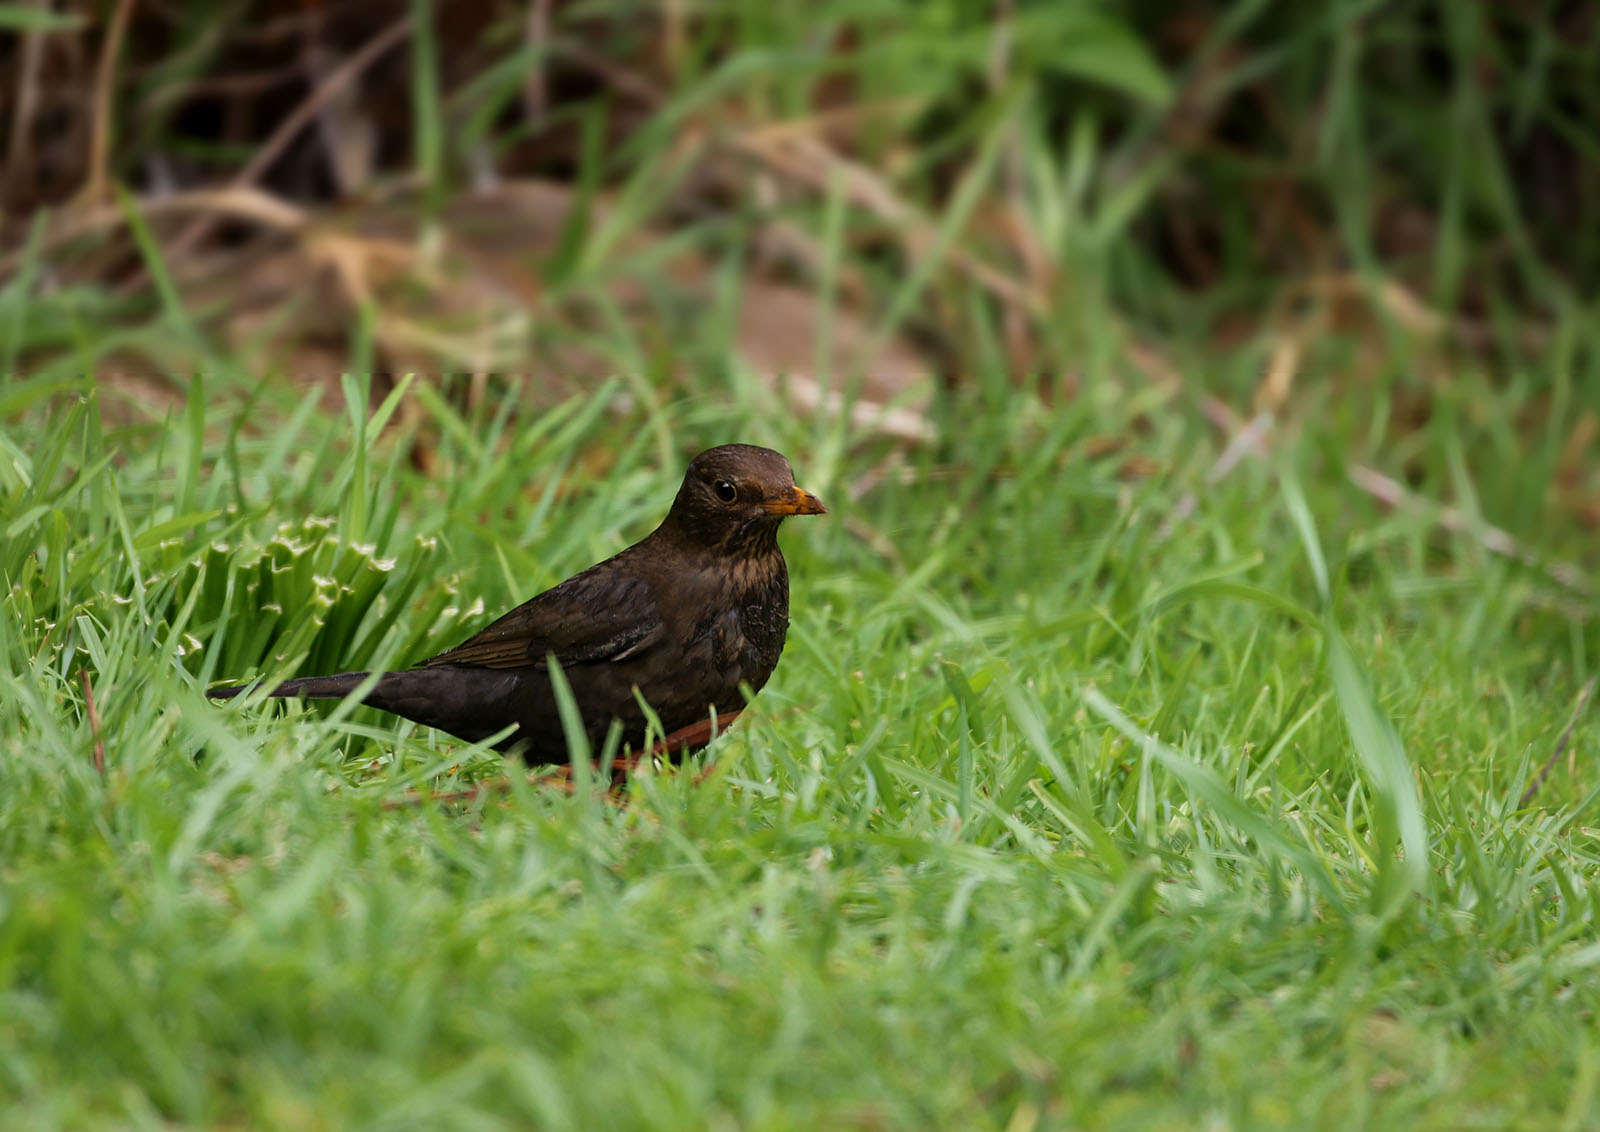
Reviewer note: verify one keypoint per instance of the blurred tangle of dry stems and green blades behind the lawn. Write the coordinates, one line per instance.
(1388, 191)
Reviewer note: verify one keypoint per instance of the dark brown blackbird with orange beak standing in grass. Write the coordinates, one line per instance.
(687, 616)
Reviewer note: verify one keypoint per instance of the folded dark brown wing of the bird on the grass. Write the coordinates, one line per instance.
(601, 615)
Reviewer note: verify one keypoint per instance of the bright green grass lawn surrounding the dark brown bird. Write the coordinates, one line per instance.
(1058, 813)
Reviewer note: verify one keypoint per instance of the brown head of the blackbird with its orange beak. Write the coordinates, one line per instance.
(737, 495)
